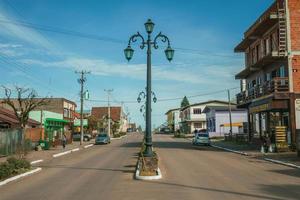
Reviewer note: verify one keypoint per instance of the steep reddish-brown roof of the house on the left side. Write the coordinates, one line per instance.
(101, 112)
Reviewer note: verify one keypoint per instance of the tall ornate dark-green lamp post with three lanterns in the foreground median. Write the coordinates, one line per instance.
(169, 52)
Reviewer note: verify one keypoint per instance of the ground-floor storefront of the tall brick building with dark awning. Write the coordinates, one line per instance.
(270, 118)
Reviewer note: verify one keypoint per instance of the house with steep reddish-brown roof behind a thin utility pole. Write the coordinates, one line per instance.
(117, 115)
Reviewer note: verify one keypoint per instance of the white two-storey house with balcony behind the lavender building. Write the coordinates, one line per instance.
(192, 117)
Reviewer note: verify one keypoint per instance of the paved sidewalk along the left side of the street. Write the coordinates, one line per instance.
(48, 154)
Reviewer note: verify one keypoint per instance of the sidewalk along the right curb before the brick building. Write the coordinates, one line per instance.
(254, 151)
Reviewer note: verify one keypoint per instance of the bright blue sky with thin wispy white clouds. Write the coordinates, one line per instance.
(203, 33)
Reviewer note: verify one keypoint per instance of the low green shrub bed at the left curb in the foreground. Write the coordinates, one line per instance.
(13, 166)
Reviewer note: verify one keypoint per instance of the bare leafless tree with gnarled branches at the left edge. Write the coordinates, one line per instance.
(25, 100)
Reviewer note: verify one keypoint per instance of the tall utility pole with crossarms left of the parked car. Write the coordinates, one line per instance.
(81, 81)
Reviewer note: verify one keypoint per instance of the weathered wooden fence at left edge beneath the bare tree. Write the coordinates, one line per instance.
(11, 141)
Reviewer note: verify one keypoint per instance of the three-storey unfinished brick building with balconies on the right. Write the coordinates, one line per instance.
(270, 86)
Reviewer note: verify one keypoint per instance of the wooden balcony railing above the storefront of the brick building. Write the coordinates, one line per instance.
(277, 85)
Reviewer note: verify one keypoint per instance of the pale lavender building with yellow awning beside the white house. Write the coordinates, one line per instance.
(218, 120)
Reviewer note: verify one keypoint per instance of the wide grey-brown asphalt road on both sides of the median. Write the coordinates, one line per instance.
(106, 172)
